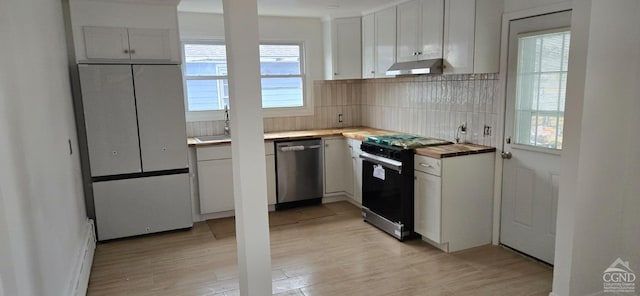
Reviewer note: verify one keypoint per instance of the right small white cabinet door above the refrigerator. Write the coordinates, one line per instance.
(149, 44)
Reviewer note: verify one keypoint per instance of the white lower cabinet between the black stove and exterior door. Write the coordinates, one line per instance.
(453, 202)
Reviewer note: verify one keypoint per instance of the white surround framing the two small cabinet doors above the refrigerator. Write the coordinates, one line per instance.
(122, 14)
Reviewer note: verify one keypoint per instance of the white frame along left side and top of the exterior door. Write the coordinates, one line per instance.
(504, 43)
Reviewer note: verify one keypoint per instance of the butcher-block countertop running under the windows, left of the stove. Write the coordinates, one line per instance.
(358, 133)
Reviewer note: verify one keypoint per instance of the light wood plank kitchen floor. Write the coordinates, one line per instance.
(326, 250)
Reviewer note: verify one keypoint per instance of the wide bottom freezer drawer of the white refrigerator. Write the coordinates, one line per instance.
(142, 205)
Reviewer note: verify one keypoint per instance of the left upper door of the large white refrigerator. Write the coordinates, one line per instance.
(110, 119)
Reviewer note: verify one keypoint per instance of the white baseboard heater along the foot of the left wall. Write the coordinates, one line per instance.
(84, 261)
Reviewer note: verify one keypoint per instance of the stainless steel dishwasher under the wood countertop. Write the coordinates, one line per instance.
(299, 173)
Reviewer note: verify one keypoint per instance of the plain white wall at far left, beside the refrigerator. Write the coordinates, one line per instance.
(42, 214)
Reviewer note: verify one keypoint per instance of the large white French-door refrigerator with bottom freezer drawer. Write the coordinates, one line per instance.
(136, 144)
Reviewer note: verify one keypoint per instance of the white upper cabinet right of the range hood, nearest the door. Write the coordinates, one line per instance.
(472, 36)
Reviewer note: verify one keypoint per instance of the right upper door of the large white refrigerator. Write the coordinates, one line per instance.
(161, 120)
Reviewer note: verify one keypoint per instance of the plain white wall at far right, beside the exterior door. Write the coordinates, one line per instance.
(605, 198)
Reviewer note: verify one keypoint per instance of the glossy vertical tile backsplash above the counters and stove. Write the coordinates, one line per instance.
(429, 105)
